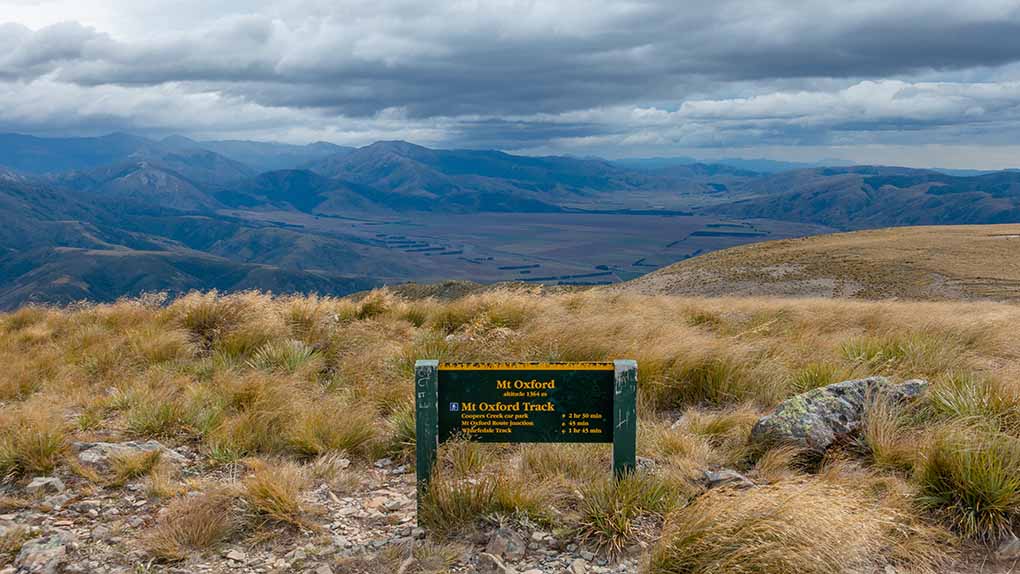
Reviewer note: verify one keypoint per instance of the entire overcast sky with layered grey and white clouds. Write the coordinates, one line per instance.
(917, 83)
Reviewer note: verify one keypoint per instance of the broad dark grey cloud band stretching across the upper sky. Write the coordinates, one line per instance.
(653, 53)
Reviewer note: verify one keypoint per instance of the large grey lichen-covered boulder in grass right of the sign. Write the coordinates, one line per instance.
(819, 419)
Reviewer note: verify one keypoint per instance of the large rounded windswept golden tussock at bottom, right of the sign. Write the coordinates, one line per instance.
(782, 530)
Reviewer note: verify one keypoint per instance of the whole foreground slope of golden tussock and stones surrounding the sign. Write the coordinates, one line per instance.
(266, 400)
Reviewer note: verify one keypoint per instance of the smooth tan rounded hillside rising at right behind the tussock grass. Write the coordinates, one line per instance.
(928, 264)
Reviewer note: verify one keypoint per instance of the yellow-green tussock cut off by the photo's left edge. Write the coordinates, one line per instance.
(33, 442)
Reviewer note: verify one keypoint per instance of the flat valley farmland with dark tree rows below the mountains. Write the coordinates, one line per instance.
(548, 248)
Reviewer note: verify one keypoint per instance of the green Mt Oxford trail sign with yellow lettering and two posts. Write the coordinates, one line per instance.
(527, 403)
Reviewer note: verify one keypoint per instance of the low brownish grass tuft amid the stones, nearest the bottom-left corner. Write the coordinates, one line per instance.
(192, 525)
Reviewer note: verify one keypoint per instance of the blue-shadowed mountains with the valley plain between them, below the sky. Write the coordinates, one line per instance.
(103, 218)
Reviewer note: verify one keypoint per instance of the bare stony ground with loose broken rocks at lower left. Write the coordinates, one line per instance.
(72, 526)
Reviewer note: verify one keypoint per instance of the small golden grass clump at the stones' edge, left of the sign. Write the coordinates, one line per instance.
(273, 492)
